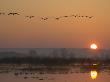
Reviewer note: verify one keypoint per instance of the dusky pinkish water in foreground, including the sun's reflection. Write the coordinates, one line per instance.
(76, 73)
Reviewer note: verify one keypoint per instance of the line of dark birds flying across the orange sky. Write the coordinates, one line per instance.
(46, 18)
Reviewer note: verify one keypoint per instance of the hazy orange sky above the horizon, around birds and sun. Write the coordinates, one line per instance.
(20, 32)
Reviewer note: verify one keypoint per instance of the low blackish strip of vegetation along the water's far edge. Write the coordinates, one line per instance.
(51, 61)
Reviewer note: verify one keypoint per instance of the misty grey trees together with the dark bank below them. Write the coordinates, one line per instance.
(54, 57)
